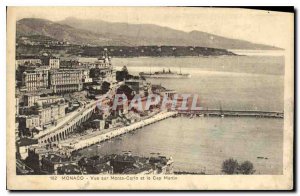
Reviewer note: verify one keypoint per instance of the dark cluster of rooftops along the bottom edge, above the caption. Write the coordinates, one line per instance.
(54, 163)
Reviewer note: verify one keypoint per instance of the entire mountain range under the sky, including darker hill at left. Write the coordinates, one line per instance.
(101, 33)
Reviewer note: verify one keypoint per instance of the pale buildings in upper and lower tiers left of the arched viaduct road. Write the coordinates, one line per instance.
(40, 78)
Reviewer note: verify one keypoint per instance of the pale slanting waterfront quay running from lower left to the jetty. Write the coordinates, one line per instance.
(88, 140)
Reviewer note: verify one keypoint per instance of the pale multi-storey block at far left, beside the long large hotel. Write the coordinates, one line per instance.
(35, 80)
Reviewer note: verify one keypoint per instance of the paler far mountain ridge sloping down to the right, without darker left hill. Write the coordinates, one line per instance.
(149, 34)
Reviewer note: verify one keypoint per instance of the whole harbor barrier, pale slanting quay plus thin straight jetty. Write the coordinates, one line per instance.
(70, 145)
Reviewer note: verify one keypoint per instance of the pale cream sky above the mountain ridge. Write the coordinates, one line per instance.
(271, 28)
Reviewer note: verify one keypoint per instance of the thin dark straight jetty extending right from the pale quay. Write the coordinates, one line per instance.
(233, 113)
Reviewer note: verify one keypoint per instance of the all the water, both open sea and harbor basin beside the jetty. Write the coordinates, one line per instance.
(240, 82)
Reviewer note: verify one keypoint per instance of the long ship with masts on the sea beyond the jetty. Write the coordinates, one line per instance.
(165, 74)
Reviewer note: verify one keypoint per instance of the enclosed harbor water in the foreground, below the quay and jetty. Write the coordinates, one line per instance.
(204, 143)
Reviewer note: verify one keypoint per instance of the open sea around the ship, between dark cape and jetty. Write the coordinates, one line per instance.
(237, 82)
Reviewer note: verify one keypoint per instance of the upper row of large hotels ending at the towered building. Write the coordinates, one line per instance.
(45, 74)
